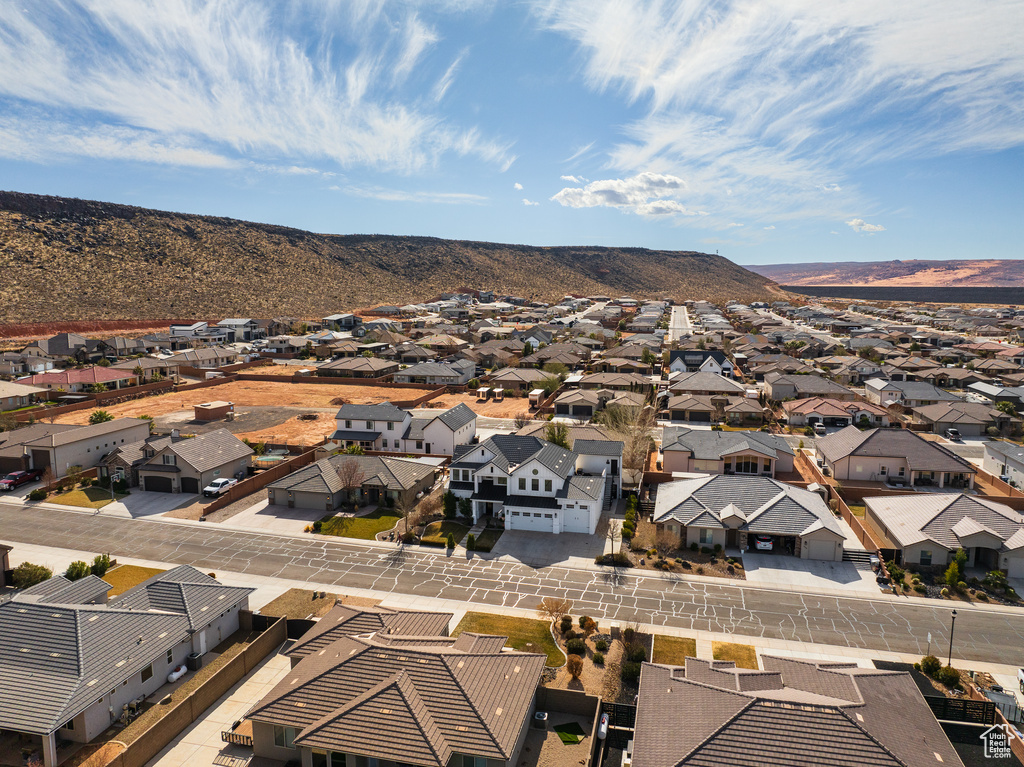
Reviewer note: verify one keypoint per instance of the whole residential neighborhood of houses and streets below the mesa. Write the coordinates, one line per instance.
(432, 491)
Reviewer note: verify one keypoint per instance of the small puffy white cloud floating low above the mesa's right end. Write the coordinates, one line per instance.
(646, 194)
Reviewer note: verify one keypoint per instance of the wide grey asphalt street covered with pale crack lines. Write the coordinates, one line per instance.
(866, 623)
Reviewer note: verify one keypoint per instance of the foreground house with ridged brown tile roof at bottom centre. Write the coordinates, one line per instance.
(393, 700)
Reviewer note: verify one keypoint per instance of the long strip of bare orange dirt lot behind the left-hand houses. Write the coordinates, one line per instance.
(261, 394)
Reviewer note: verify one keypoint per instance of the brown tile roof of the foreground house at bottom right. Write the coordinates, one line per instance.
(794, 713)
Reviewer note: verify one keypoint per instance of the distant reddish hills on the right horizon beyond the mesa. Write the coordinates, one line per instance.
(912, 274)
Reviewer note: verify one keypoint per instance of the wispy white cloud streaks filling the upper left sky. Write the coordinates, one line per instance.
(235, 80)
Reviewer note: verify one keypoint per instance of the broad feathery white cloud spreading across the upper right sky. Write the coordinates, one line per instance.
(767, 98)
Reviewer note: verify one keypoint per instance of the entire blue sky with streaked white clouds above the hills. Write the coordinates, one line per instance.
(767, 131)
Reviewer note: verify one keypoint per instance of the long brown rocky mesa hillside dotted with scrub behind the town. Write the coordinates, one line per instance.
(66, 260)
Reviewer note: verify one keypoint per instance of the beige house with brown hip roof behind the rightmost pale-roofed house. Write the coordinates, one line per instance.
(893, 456)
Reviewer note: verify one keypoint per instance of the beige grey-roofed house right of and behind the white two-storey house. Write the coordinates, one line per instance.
(726, 452)
